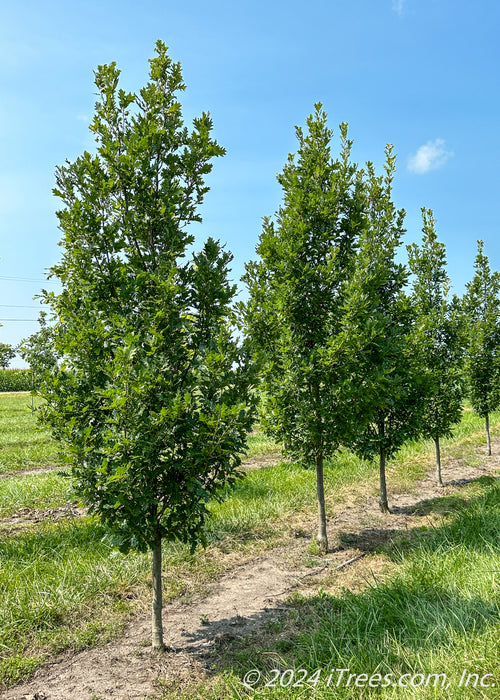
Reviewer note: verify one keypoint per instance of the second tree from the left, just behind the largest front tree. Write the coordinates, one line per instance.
(295, 310)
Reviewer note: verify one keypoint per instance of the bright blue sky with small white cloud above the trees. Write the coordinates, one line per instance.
(420, 74)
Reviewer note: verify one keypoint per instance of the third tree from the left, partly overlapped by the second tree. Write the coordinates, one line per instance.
(380, 316)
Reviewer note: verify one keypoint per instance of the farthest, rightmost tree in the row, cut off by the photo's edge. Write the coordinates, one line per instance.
(482, 312)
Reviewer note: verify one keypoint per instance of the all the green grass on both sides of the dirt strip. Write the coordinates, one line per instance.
(63, 586)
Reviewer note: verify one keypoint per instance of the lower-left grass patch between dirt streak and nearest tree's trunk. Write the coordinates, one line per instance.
(50, 582)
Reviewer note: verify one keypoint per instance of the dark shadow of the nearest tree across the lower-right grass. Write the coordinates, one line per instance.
(387, 629)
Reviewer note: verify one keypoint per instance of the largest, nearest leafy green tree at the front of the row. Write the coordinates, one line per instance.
(151, 392)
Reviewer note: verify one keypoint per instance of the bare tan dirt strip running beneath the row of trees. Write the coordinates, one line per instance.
(244, 600)
